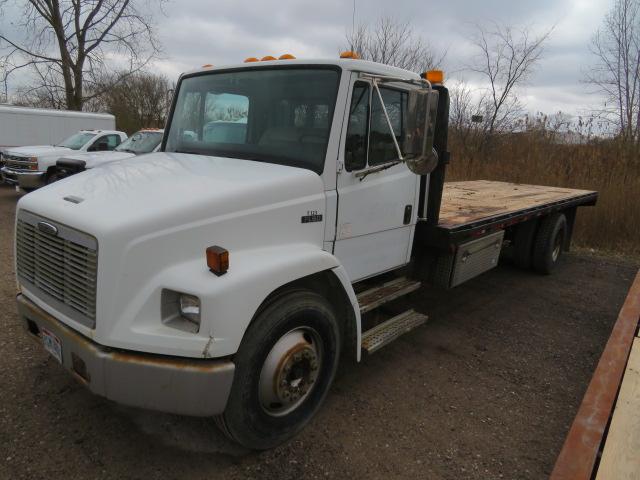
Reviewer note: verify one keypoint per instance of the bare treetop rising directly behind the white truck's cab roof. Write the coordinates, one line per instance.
(394, 43)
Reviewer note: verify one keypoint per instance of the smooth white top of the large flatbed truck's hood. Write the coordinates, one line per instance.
(161, 190)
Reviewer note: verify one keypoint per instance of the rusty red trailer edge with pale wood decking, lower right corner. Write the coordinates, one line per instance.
(604, 438)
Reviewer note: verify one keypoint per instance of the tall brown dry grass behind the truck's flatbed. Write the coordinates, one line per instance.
(610, 167)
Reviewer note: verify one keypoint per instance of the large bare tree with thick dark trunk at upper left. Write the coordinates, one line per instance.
(66, 45)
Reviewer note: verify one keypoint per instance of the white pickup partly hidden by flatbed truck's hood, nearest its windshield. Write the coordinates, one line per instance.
(144, 141)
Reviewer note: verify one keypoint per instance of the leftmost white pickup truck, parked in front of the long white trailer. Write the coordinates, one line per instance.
(33, 167)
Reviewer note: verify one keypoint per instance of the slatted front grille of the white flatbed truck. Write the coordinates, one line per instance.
(62, 267)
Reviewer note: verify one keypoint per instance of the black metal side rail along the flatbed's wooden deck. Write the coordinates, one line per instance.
(443, 236)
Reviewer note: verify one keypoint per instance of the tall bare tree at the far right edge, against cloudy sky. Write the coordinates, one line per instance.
(616, 46)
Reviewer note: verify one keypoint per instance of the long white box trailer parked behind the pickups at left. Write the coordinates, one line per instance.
(21, 126)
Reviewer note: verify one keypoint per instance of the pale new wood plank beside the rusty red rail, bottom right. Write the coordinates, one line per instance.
(621, 456)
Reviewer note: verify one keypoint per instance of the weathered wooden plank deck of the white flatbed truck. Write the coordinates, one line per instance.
(468, 202)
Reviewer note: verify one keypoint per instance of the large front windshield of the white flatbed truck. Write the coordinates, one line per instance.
(280, 115)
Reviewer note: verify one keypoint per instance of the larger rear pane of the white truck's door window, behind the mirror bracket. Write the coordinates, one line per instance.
(381, 146)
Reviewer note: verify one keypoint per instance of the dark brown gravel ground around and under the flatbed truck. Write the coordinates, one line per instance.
(487, 389)
